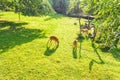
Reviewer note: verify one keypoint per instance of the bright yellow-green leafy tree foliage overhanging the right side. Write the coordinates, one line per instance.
(107, 13)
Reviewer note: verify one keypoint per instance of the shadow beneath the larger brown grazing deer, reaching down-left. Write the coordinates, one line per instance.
(50, 48)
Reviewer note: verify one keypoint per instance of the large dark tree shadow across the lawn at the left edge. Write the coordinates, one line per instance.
(10, 37)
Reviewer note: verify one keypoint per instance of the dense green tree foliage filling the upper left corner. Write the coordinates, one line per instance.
(27, 7)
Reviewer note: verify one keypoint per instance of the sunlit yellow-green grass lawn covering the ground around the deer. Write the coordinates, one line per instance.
(23, 48)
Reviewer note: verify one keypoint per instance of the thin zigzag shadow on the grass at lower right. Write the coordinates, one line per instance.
(94, 61)
